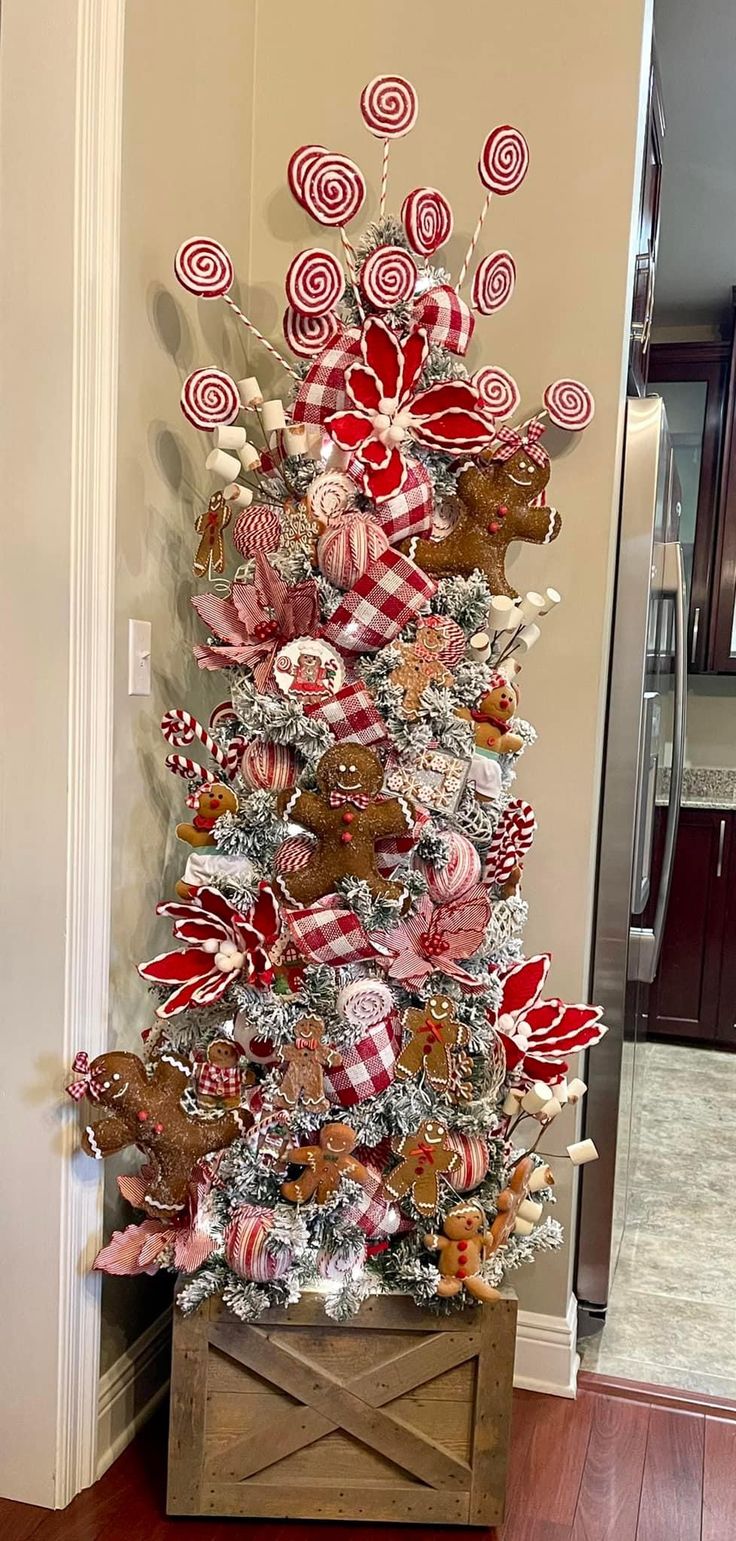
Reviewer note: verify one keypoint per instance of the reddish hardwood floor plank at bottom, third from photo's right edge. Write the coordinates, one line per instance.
(612, 1482)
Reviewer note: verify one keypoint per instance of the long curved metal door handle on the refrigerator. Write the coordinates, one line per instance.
(646, 945)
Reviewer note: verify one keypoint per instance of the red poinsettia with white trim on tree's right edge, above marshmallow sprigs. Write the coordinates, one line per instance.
(540, 1035)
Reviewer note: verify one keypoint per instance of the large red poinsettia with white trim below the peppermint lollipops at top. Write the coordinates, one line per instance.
(389, 411)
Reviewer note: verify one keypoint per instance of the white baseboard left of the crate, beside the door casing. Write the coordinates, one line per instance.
(132, 1389)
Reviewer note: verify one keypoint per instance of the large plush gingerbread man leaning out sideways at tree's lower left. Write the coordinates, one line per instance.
(147, 1112)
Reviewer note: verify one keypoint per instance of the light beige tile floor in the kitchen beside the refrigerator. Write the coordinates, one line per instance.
(672, 1314)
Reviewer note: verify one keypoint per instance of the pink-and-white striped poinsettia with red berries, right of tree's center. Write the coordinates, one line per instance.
(437, 936)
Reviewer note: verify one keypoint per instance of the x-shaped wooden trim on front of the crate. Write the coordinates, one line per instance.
(358, 1406)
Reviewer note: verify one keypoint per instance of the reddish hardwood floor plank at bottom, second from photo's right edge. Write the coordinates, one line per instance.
(672, 1489)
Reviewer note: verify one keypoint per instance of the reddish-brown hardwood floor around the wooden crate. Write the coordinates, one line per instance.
(600, 1469)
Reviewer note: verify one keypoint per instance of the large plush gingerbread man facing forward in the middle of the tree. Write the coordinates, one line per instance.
(349, 821)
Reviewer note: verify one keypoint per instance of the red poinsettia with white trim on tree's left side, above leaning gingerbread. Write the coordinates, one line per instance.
(222, 945)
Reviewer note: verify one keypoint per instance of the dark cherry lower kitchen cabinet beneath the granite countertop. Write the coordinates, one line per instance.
(694, 995)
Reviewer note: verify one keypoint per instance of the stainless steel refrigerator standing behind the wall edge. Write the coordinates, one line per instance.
(646, 730)
